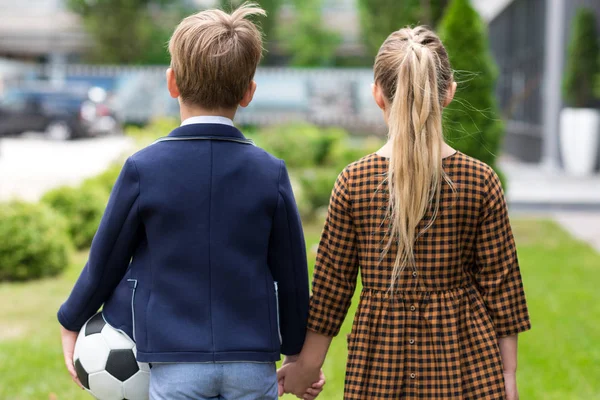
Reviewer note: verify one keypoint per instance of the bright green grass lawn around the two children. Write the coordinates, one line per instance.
(559, 358)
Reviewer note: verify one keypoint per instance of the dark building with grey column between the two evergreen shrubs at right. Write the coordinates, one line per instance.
(529, 40)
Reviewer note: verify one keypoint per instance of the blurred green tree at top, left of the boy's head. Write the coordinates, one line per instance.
(128, 31)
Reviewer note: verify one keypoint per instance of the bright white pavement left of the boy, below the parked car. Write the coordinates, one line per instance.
(31, 166)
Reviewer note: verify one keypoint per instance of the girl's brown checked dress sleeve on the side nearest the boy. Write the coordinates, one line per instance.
(336, 268)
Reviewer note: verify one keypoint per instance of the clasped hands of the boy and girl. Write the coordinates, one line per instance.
(298, 379)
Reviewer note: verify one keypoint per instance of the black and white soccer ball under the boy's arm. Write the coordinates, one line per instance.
(106, 365)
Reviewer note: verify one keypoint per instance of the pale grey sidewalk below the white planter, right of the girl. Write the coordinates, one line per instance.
(572, 202)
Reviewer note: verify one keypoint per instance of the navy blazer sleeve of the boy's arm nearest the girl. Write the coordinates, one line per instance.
(287, 261)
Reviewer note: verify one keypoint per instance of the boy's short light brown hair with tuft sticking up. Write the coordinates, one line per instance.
(214, 56)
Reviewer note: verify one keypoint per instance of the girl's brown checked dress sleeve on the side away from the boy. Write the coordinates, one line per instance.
(497, 268)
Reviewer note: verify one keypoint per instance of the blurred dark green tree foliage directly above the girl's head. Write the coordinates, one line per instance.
(379, 18)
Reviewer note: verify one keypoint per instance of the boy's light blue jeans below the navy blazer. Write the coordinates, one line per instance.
(223, 381)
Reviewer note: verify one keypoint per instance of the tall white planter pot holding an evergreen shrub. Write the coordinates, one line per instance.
(579, 136)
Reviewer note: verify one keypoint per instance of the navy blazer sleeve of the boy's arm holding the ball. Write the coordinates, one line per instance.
(110, 253)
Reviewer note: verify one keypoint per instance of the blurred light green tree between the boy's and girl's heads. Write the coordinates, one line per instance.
(307, 40)
